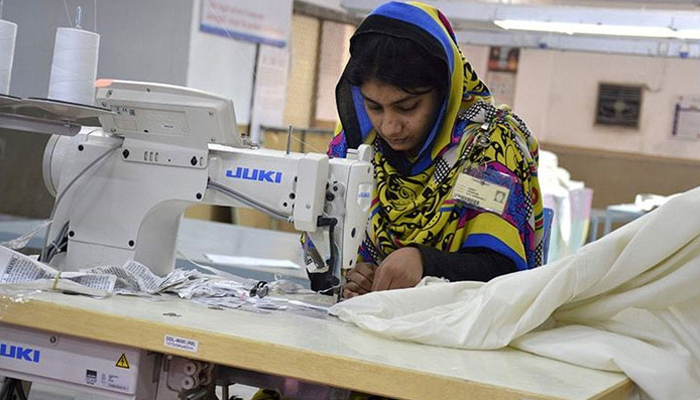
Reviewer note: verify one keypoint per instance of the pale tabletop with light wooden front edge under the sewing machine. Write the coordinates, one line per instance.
(314, 348)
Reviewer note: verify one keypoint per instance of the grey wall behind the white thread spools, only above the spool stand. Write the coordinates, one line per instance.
(128, 47)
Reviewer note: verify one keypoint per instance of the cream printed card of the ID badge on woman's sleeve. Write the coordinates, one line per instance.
(481, 194)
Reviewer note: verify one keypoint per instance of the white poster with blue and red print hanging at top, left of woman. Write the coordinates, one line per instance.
(261, 21)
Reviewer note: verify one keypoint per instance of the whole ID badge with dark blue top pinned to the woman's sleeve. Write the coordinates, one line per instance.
(486, 190)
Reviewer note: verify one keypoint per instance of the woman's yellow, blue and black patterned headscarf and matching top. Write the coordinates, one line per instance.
(414, 204)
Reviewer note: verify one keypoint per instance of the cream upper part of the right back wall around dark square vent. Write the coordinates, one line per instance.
(557, 92)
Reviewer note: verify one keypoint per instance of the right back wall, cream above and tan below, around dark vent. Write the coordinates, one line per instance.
(556, 94)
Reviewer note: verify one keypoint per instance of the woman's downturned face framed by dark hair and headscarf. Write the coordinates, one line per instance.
(402, 119)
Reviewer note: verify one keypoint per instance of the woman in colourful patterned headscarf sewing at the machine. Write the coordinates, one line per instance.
(410, 93)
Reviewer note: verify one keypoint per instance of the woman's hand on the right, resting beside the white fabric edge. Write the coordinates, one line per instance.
(401, 269)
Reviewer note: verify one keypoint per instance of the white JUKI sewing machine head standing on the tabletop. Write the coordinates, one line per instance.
(121, 189)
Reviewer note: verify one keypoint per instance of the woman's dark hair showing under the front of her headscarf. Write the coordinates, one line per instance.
(396, 61)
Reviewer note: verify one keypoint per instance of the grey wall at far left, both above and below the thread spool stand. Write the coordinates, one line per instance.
(128, 50)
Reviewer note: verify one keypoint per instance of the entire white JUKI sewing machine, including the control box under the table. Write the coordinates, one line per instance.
(121, 191)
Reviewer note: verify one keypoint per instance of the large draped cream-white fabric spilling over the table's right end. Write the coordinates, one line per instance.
(629, 302)
